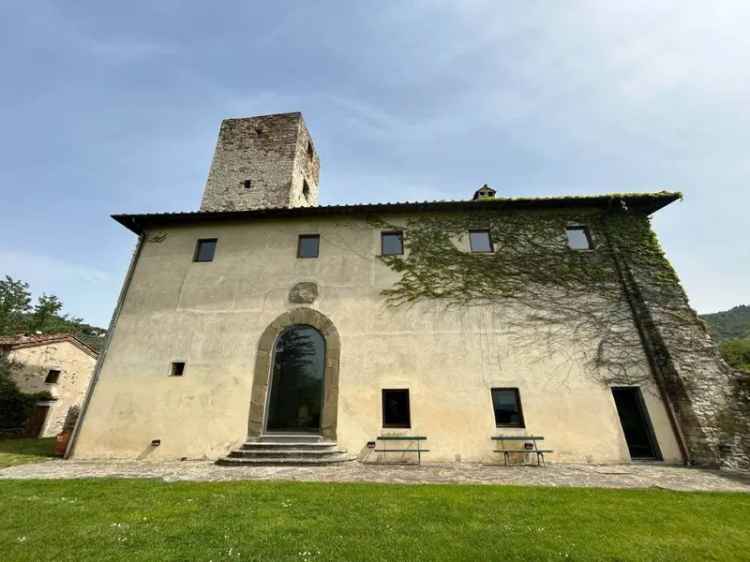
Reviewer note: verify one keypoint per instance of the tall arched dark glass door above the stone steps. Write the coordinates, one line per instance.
(297, 376)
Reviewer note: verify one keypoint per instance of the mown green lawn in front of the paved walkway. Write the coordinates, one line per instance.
(151, 520)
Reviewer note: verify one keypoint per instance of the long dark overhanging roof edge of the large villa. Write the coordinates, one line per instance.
(642, 202)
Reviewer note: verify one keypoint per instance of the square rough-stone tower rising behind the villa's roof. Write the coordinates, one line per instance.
(265, 161)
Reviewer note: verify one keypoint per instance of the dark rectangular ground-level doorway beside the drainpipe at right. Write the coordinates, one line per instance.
(636, 425)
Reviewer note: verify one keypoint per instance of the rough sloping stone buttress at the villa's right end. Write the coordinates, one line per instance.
(686, 363)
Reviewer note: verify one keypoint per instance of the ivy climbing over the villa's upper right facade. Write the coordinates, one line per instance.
(560, 292)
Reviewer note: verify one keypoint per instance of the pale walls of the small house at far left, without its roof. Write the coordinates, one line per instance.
(31, 365)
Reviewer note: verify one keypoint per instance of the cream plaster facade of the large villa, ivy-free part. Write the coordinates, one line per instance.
(211, 315)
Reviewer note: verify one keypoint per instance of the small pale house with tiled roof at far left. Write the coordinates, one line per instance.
(60, 364)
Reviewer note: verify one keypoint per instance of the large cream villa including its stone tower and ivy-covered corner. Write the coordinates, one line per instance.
(266, 327)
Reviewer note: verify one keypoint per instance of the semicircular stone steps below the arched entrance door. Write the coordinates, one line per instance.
(286, 450)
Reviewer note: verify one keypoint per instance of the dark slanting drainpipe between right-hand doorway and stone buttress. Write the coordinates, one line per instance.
(634, 298)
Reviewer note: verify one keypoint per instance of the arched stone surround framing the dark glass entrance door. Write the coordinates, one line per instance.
(291, 325)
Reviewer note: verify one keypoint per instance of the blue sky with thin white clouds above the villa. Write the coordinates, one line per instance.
(115, 107)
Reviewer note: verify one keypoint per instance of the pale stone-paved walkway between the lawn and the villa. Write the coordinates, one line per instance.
(609, 476)
